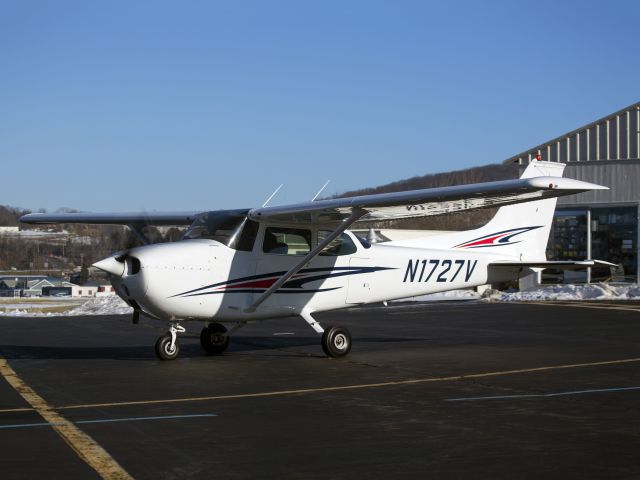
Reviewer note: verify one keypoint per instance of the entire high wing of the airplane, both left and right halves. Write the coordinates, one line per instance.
(385, 206)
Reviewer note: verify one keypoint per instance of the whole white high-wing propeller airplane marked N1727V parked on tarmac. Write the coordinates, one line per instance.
(238, 266)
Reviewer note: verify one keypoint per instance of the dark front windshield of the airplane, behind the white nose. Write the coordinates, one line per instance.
(231, 228)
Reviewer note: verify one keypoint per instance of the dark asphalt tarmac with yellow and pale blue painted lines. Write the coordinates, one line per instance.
(448, 390)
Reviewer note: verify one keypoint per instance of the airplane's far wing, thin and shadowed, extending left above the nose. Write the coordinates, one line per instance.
(130, 218)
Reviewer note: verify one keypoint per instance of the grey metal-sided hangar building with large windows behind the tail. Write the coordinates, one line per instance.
(599, 224)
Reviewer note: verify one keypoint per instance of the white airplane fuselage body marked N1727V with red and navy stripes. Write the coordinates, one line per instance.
(205, 280)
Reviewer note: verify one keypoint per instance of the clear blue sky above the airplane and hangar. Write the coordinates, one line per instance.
(119, 105)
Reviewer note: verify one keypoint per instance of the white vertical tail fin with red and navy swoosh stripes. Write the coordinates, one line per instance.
(518, 231)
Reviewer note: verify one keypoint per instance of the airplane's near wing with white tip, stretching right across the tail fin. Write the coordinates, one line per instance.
(422, 203)
